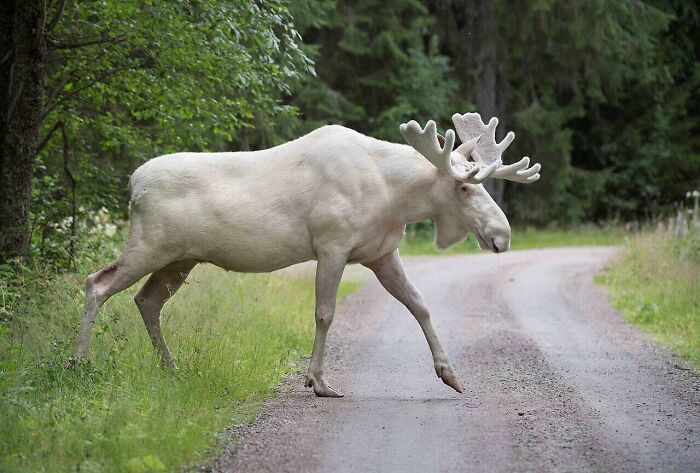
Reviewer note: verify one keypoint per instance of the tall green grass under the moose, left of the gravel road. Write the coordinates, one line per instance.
(234, 337)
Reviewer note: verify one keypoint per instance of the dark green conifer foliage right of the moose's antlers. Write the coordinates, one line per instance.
(601, 94)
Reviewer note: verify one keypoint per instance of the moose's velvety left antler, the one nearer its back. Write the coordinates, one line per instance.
(438, 150)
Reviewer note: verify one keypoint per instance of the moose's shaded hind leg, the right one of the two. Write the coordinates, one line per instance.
(160, 287)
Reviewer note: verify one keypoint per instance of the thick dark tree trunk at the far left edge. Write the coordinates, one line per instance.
(22, 106)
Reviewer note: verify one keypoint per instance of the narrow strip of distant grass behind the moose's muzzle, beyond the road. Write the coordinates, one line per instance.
(522, 238)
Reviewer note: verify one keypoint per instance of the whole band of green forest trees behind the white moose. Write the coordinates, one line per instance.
(603, 93)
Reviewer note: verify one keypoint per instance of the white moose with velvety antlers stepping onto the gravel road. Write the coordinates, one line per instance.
(334, 195)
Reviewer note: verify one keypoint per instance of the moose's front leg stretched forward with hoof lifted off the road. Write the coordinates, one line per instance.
(391, 275)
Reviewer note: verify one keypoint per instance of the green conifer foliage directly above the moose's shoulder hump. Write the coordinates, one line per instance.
(377, 65)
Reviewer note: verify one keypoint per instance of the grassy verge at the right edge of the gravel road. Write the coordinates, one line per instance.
(656, 285)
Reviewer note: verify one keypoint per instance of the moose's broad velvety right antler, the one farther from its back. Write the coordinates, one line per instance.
(487, 151)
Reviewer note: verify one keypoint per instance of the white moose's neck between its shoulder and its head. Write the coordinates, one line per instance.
(414, 185)
